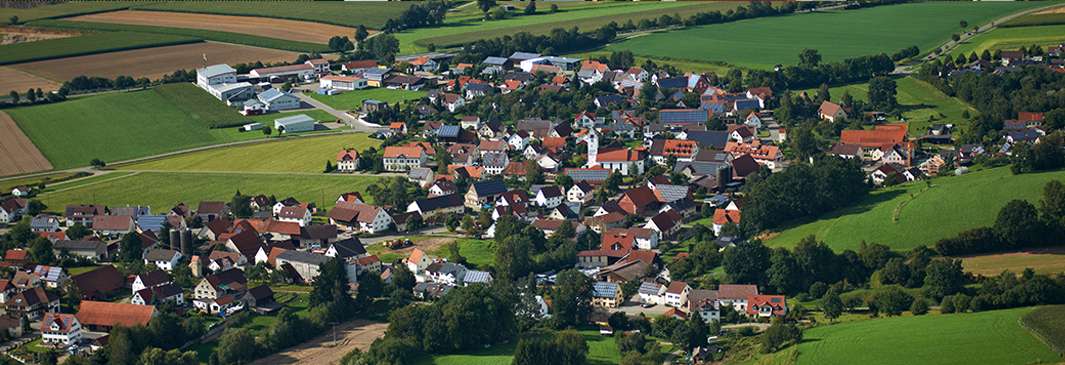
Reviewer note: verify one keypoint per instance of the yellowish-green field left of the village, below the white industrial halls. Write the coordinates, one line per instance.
(290, 156)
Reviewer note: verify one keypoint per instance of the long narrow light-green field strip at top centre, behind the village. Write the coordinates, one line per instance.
(464, 30)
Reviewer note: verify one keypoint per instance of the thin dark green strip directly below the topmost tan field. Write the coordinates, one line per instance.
(247, 40)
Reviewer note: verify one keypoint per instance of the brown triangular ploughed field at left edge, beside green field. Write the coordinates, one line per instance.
(18, 154)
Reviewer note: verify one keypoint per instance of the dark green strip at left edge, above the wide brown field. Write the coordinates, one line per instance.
(91, 44)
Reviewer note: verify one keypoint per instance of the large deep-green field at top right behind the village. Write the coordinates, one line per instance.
(838, 36)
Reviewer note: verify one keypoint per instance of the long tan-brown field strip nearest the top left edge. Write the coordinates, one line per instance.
(283, 29)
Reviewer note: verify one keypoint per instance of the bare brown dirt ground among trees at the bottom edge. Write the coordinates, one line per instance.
(350, 336)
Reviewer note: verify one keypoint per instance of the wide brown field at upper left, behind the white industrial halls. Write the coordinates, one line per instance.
(153, 63)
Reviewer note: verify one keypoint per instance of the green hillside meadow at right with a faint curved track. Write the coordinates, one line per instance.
(955, 205)
